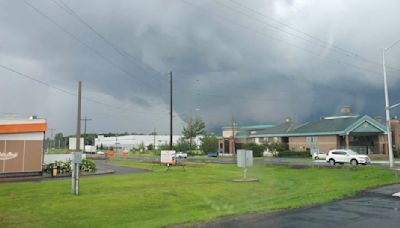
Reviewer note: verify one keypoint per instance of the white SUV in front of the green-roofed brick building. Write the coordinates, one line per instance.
(346, 156)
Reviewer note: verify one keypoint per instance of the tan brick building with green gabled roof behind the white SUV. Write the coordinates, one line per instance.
(345, 130)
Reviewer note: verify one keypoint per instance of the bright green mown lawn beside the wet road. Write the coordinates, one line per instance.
(197, 193)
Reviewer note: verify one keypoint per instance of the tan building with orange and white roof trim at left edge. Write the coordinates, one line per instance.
(21, 146)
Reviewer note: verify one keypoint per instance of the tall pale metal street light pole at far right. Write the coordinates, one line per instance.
(387, 108)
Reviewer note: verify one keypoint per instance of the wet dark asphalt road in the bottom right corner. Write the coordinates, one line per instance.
(372, 208)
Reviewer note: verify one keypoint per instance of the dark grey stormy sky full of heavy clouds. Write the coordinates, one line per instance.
(255, 61)
